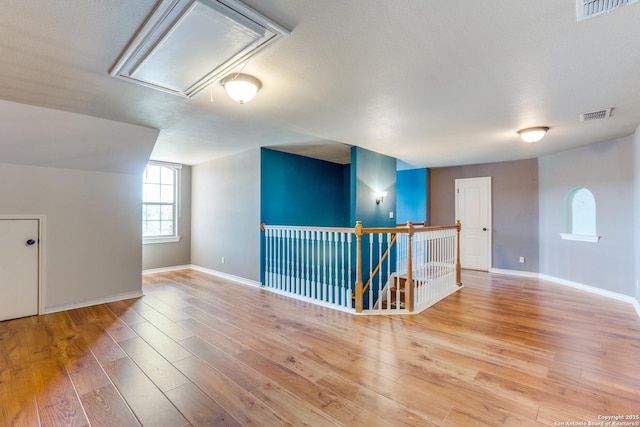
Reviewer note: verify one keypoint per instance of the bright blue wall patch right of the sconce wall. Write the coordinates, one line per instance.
(412, 195)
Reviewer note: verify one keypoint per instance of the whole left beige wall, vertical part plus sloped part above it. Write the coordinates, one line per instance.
(83, 174)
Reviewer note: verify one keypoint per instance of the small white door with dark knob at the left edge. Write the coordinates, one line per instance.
(18, 268)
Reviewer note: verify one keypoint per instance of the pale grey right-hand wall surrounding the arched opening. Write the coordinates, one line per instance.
(607, 170)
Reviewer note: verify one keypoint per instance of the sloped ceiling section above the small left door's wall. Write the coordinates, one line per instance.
(45, 137)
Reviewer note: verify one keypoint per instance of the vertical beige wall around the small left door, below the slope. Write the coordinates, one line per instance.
(92, 244)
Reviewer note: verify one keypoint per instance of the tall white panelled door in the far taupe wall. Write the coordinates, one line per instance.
(473, 209)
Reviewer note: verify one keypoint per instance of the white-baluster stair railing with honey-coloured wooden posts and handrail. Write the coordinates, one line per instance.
(315, 264)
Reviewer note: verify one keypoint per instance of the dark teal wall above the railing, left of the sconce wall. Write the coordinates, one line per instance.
(298, 190)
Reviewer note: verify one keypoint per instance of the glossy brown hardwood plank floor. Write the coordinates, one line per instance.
(197, 350)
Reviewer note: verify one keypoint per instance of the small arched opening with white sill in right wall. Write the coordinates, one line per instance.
(580, 215)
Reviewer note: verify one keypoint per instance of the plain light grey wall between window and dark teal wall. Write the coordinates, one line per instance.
(225, 220)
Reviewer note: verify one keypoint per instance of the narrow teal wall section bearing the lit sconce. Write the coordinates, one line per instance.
(372, 173)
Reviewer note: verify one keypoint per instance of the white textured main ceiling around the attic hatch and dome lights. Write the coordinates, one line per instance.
(431, 83)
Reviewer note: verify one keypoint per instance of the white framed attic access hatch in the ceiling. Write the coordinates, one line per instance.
(185, 45)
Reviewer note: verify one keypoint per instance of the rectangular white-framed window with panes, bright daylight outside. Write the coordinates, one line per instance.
(160, 203)
